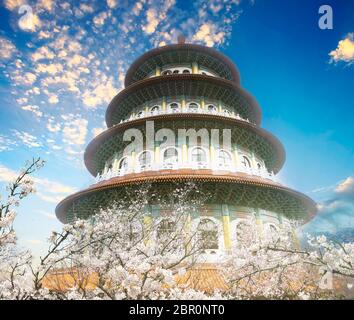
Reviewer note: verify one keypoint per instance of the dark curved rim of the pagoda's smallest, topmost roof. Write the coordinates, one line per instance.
(129, 78)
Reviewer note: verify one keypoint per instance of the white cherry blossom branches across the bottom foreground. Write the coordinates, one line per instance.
(128, 252)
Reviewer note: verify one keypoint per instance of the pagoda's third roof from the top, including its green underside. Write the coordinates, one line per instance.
(243, 134)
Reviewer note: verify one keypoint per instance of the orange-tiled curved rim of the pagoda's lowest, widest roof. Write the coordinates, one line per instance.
(169, 176)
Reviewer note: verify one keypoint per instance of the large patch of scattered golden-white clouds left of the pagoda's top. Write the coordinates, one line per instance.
(76, 56)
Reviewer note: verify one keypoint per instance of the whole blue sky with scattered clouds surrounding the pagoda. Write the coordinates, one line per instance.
(60, 68)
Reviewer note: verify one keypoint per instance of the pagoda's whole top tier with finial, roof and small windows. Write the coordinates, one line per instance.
(185, 58)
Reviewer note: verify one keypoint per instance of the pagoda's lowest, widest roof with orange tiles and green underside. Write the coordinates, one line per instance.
(234, 189)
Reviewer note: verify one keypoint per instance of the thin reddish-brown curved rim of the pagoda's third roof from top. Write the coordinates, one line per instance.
(102, 137)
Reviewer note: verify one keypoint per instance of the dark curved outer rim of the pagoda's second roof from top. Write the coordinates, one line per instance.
(188, 84)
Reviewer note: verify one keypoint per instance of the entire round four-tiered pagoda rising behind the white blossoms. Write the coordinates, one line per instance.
(192, 88)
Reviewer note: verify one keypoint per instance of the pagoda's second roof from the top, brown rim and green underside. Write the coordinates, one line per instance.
(192, 85)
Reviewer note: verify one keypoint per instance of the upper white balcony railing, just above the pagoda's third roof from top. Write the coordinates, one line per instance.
(146, 114)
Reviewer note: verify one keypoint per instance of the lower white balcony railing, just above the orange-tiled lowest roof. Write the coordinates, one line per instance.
(111, 173)
